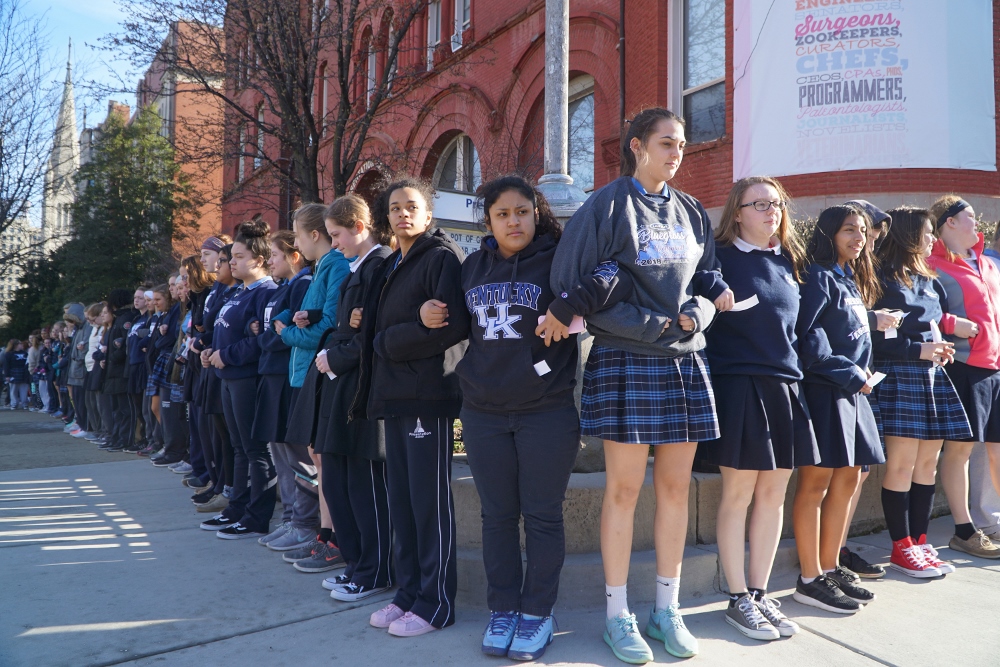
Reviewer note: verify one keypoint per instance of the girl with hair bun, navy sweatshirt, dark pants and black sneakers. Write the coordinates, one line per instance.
(236, 356)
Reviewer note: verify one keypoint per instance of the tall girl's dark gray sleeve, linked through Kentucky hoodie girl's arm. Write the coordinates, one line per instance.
(587, 241)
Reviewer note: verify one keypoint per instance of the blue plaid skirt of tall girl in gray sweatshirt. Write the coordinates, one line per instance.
(649, 400)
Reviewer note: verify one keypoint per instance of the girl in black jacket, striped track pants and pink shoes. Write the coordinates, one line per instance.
(407, 379)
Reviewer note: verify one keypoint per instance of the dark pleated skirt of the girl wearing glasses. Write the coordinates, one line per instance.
(764, 424)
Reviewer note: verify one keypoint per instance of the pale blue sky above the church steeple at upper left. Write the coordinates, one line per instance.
(85, 21)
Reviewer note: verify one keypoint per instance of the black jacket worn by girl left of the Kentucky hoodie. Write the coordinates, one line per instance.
(408, 370)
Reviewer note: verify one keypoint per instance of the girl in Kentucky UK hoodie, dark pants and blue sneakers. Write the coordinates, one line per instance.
(519, 419)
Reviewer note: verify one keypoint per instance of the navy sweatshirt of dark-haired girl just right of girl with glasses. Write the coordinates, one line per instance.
(834, 338)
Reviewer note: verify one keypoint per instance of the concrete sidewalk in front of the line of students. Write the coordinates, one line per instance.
(103, 564)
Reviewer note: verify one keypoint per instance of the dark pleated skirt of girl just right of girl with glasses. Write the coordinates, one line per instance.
(845, 426)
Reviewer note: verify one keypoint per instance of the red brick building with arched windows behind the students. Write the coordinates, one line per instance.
(477, 112)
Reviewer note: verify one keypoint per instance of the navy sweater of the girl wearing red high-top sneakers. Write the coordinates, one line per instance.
(923, 303)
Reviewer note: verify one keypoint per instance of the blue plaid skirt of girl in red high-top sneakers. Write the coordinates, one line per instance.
(917, 400)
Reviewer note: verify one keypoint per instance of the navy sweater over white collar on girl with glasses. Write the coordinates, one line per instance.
(760, 340)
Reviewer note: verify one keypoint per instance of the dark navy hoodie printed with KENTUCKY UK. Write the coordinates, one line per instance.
(507, 367)
